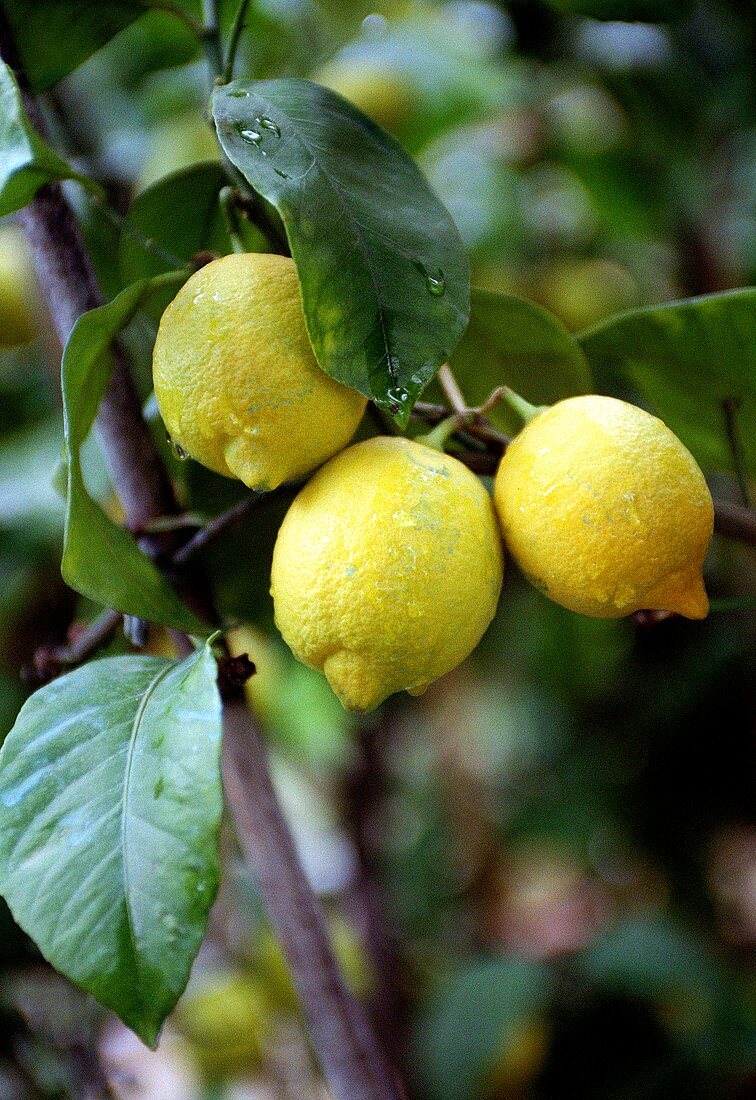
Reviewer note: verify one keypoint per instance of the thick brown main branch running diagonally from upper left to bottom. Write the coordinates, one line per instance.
(348, 1052)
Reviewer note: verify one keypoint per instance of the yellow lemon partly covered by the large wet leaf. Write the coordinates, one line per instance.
(236, 379)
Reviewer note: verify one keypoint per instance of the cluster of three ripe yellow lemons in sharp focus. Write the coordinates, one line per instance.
(389, 565)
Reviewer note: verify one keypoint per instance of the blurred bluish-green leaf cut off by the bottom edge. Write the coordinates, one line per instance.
(503, 997)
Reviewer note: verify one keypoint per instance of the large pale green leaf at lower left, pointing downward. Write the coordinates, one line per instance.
(112, 800)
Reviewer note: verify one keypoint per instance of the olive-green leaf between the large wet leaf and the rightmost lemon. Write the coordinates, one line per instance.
(514, 343)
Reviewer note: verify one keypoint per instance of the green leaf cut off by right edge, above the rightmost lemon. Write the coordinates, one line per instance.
(685, 360)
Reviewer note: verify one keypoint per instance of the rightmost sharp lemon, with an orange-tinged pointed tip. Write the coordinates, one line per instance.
(606, 511)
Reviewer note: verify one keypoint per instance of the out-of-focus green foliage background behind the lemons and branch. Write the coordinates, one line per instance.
(560, 837)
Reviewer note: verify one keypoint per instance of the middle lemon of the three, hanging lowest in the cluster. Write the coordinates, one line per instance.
(387, 570)
